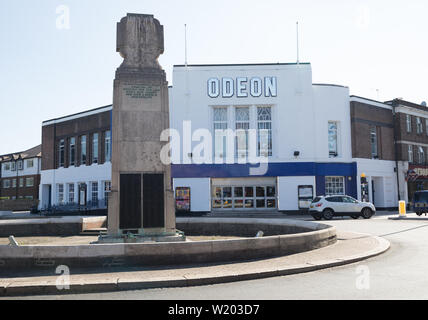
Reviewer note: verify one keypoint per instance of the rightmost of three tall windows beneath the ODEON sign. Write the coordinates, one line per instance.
(264, 131)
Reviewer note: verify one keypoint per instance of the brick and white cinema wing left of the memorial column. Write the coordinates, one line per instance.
(76, 166)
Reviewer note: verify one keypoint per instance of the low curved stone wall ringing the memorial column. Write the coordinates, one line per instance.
(282, 237)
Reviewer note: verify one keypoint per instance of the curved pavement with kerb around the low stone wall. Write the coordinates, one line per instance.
(351, 247)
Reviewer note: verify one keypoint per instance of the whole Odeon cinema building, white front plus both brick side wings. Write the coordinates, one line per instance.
(245, 137)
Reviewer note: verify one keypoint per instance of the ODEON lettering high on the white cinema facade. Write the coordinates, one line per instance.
(242, 87)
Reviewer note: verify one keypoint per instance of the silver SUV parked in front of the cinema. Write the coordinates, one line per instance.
(329, 206)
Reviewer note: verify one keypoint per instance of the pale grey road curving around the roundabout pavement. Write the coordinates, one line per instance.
(400, 273)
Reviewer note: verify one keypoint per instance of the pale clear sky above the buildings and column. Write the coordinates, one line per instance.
(48, 73)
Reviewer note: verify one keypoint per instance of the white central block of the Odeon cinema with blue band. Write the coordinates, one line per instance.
(292, 138)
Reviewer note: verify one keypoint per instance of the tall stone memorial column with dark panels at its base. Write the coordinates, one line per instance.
(141, 203)
